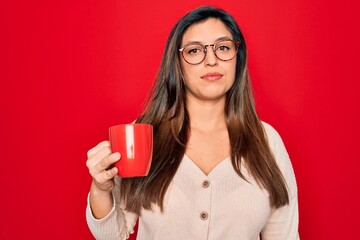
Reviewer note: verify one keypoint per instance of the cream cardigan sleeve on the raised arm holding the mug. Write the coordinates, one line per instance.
(118, 224)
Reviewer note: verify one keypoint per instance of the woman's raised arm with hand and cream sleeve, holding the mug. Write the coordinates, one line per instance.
(104, 214)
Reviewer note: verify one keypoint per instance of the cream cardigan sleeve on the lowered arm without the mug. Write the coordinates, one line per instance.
(283, 222)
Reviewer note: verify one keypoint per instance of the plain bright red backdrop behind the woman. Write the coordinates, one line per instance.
(71, 69)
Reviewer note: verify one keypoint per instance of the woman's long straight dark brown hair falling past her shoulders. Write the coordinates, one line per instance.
(166, 111)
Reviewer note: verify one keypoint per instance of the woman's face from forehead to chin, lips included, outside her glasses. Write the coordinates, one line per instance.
(212, 78)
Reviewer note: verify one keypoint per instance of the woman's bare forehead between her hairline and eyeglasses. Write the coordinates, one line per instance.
(206, 32)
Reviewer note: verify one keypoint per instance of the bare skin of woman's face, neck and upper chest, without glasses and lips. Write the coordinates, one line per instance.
(209, 141)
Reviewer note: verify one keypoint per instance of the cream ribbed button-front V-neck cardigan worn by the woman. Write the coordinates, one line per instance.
(220, 205)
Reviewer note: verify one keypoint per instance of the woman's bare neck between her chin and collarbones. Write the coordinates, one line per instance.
(206, 115)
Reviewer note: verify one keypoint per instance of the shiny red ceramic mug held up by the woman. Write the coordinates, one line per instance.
(135, 144)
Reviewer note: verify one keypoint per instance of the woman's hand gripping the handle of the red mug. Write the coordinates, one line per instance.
(99, 164)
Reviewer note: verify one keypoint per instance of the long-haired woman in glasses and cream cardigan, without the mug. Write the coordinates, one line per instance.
(218, 172)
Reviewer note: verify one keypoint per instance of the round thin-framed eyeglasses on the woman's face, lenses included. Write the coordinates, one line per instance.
(195, 53)
